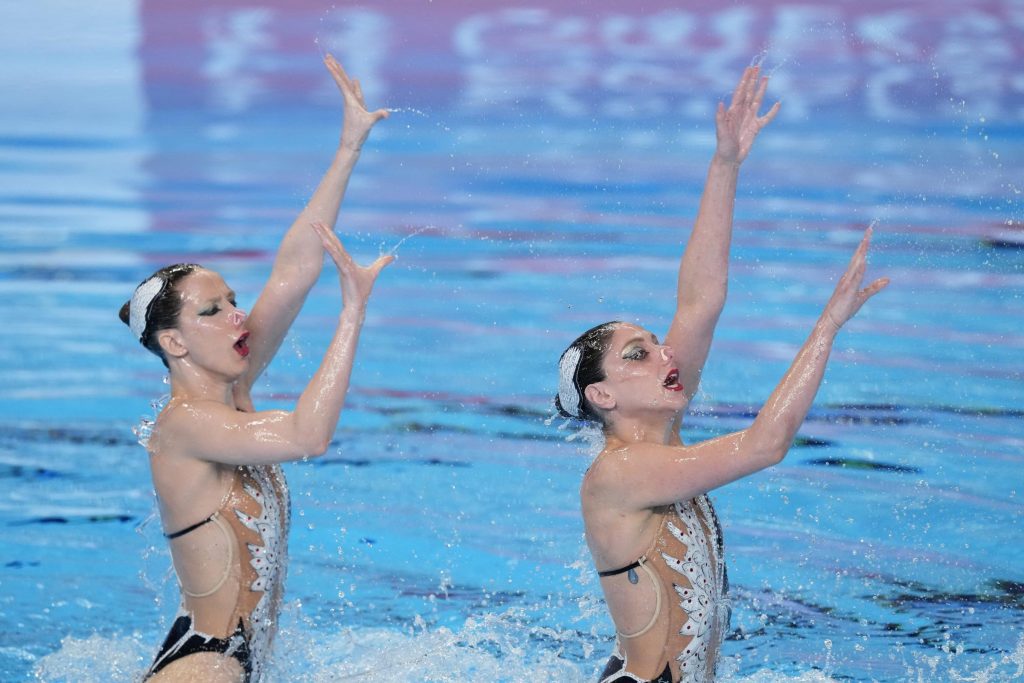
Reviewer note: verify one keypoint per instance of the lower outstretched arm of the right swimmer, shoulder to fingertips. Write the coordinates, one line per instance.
(647, 476)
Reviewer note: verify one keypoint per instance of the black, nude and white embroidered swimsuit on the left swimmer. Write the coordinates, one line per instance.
(236, 617)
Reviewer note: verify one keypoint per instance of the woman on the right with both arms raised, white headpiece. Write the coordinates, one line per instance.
(650, 525)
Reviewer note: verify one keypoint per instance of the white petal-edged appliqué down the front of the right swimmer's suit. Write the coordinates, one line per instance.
(704, 600)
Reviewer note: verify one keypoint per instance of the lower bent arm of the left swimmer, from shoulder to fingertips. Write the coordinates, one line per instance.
(215, 432)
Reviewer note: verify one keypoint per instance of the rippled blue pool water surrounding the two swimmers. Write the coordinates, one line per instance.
(552, 155)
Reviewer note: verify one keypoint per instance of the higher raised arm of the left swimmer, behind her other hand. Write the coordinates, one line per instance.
(301, 257)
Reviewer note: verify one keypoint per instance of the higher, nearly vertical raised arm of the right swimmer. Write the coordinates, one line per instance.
(705, 267)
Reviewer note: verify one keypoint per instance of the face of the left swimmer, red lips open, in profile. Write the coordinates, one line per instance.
(211, 329)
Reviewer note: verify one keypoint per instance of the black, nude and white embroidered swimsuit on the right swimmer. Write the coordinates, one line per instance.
(687, 566)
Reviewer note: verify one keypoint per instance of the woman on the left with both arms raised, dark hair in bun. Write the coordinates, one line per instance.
(224, 500)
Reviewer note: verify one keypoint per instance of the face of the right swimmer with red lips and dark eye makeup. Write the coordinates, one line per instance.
(642, 375)
